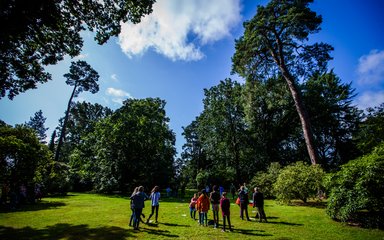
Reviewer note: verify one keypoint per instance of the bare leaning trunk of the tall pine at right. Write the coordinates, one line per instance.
(304, 119)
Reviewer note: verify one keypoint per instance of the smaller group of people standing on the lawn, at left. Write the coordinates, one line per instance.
(137, 204)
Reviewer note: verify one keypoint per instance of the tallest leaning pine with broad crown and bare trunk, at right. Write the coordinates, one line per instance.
(274, 42)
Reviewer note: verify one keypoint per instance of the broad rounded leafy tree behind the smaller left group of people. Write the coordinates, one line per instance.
(136, 147)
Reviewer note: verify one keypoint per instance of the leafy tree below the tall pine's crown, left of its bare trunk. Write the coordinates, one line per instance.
(268, 112)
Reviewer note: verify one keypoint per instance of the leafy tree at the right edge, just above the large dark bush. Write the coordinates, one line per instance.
(371, 131)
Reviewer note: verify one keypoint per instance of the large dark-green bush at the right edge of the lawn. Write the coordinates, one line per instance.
(357, 190)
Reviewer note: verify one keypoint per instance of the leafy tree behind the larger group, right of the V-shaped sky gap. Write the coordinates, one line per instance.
(222, 129)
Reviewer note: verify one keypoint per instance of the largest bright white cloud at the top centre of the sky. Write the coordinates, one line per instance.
(178, 28)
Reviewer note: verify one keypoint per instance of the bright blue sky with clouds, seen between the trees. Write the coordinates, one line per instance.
(185, 46)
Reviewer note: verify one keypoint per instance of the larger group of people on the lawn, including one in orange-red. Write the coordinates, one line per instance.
(201, 202)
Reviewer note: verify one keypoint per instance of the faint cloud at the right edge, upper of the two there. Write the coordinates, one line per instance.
(371, 68)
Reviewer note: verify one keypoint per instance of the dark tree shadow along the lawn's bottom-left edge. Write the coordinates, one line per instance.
(67, 231)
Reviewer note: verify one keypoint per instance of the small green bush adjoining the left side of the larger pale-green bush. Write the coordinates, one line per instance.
(265, 180)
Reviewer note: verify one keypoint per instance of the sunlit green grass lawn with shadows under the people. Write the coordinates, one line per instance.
(92, 216)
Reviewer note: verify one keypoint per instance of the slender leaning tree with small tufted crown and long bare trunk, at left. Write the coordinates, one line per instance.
(83, 78)
